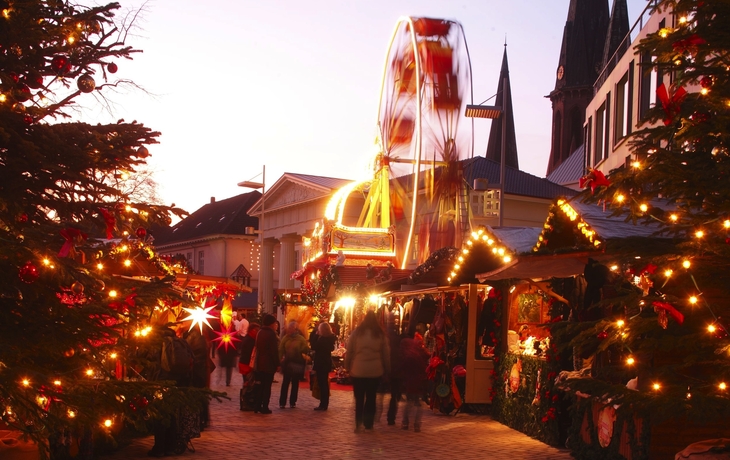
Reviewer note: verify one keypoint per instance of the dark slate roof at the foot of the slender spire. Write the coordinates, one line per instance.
(516, 182)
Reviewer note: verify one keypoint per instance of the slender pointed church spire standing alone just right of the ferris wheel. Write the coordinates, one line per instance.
(494, 146)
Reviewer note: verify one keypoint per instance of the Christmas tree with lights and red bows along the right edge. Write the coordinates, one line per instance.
(660, 347)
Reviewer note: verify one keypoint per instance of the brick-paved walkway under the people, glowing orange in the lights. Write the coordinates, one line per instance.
(305, 433)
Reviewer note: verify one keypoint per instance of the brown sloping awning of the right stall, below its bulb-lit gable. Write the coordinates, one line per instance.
(536, 267)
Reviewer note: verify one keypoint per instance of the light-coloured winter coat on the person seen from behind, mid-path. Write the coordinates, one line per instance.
(367, 356)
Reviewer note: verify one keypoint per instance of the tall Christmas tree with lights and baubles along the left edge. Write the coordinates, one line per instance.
(80, 329)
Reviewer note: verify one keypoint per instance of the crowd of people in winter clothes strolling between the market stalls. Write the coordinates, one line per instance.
(378, 360)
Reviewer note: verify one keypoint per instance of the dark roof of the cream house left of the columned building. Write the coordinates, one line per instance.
(227, 216)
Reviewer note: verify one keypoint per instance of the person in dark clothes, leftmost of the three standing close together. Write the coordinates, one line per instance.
(266, 363)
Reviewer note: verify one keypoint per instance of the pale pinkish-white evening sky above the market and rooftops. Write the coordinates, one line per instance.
(233, 85)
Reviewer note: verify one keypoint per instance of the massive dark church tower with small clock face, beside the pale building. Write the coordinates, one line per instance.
(581, 60)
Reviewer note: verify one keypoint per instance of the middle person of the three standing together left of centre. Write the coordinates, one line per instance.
(292, 349)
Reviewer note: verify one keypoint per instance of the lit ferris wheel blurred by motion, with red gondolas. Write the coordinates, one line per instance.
(422, 136)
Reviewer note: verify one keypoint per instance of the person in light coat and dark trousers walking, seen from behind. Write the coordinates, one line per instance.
(367, 359)
